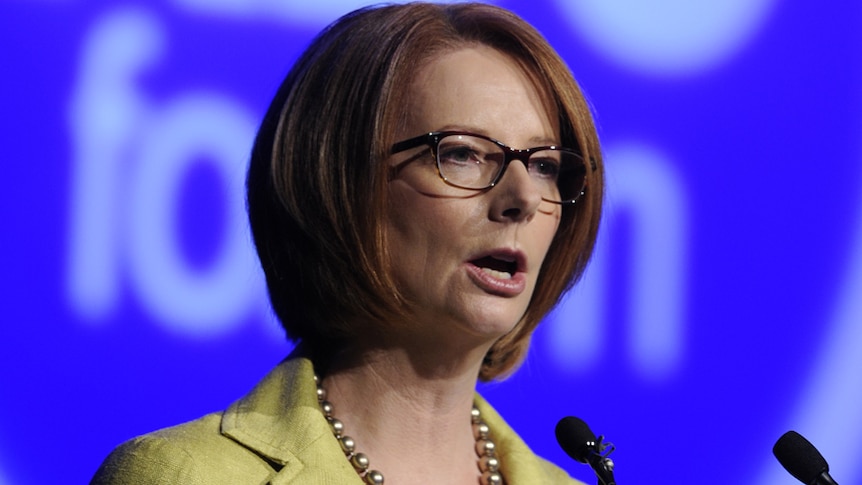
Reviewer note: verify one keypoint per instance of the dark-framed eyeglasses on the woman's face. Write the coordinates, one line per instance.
(470, 161)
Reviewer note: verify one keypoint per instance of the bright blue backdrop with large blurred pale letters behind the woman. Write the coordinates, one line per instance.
(723, 307)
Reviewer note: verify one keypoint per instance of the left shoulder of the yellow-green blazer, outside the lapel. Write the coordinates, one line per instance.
(190, 453)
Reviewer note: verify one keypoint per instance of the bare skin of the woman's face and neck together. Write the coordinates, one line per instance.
(405, 394)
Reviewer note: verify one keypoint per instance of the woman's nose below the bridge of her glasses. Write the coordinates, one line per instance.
(515, 196)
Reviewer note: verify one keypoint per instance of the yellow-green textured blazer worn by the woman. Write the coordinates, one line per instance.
(276, 435)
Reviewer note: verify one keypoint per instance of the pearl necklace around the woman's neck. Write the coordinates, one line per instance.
(489, 464)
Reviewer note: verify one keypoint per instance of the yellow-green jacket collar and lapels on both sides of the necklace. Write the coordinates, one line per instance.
(281, 421)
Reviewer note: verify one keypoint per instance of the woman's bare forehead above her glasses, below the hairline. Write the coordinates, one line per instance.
(478, 87)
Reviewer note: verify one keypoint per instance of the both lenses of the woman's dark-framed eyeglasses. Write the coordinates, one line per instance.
(472, 162)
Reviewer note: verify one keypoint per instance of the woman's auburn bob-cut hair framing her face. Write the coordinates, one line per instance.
(317, 180)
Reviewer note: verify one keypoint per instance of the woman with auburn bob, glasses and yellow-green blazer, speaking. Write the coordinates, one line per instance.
(406, 250)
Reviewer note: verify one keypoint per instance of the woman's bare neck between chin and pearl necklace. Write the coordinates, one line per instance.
(409, 411)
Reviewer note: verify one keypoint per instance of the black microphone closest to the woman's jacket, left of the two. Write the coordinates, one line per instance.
(580, 443)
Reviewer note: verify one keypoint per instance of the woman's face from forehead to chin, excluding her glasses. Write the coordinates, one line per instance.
(470, 259)
